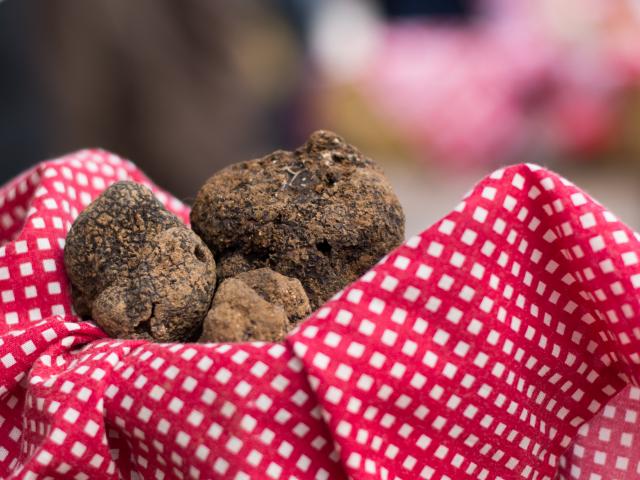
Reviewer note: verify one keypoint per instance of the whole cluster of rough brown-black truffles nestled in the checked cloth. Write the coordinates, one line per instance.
(287, 231)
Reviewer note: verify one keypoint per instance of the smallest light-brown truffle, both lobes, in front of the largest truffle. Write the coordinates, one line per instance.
(256, 305)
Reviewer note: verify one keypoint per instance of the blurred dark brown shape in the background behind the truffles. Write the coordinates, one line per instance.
(181, 88)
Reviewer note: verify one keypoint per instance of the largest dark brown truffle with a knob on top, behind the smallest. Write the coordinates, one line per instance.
(324, 214)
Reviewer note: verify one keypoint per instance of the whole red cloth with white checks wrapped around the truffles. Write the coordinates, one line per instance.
(501, 343)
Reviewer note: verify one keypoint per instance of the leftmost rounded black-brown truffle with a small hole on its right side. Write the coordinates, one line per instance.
(136, 269)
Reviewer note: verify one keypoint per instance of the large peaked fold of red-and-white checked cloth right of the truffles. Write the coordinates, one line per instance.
(478, 348)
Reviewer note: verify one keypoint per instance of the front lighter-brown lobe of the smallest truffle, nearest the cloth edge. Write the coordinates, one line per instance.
(239, 314)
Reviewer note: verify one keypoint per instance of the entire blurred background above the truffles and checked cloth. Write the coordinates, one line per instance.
(440, 92)
